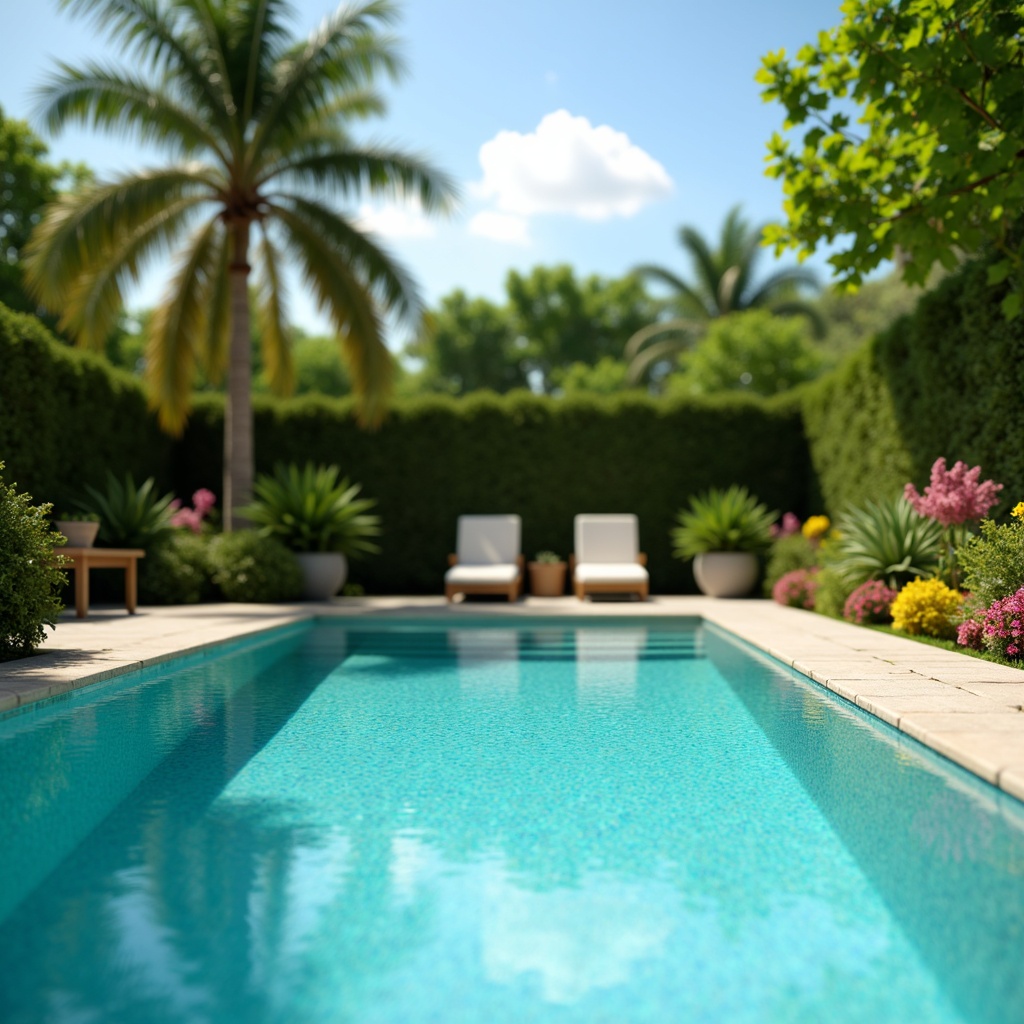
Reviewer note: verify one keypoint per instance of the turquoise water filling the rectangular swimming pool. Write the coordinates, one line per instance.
(621, 823)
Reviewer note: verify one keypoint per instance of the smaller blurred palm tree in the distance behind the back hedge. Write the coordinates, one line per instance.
(724, 283)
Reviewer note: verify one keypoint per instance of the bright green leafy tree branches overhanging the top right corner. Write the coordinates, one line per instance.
(934, 166)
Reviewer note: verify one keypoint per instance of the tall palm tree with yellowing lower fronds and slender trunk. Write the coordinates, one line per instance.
(259, 129)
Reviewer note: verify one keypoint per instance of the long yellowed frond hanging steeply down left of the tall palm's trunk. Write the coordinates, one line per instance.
(179, 322)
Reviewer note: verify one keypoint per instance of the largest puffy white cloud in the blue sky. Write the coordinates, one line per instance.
(570, 166)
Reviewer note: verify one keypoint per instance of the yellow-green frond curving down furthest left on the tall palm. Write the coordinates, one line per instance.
(81, 230)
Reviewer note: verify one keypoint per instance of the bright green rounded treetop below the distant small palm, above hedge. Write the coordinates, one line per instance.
(754, 352)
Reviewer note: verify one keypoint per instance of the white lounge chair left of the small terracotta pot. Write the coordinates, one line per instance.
(488, 559)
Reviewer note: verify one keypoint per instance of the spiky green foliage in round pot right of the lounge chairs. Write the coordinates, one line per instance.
(731, 520)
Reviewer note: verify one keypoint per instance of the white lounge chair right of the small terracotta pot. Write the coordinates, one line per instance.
(607, 560)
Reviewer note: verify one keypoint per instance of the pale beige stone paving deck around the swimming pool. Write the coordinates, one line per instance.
(966, 709)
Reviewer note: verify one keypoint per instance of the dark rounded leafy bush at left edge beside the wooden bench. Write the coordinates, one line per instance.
(30, 581)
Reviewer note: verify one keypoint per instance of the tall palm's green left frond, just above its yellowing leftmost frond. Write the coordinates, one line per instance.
(118, 102)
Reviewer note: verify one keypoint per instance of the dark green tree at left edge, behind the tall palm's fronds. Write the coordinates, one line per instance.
(28, 184)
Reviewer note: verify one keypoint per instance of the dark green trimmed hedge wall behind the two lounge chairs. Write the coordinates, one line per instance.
(545, 459)
